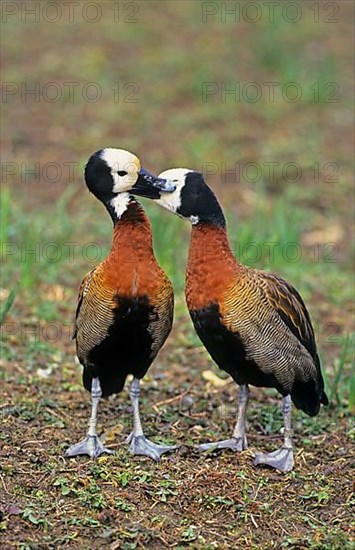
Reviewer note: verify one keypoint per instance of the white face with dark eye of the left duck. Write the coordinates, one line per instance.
(124, 167)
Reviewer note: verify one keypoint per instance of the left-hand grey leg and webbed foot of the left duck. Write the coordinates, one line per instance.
(91, 445)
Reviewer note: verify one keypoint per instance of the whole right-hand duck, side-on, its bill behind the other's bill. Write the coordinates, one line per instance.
(254, 324)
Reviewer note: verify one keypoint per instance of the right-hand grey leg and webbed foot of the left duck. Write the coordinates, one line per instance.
(139, 444)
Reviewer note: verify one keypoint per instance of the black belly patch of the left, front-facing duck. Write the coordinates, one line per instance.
(126, 349)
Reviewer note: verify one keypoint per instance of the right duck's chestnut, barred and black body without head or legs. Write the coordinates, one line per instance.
(254, 324)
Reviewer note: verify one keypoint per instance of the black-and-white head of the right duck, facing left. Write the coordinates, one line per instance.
(192, 199)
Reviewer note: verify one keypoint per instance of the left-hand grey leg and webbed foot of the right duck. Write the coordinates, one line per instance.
(238, 442)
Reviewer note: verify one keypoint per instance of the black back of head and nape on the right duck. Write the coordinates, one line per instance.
(197, 199)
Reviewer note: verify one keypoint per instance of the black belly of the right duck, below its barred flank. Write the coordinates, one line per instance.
(227, 349)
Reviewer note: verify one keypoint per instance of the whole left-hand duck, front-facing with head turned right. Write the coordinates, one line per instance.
(125, 304)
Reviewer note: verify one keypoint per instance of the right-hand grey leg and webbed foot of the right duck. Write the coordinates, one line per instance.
(282, 459)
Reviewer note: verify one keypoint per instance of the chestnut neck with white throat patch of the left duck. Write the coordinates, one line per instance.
(132, 233)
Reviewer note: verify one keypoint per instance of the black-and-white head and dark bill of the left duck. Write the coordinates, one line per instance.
(110, 172)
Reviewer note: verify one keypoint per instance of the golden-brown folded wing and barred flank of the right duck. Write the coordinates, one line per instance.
(273, 326)
